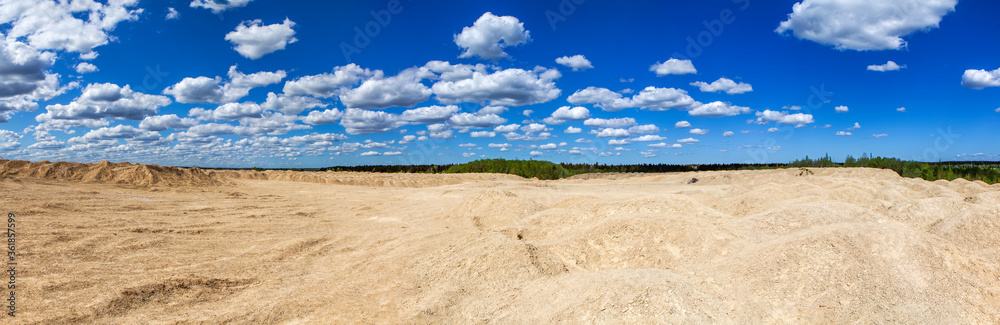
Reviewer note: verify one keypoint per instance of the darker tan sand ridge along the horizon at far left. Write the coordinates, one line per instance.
(107, 172)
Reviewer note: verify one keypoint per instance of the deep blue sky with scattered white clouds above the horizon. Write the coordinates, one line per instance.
(287, 84)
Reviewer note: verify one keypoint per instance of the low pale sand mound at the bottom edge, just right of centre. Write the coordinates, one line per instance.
(616, 296)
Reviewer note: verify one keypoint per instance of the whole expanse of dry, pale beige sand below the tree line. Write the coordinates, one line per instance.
(127, 244)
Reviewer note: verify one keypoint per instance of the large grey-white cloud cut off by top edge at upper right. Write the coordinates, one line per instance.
(863, 25)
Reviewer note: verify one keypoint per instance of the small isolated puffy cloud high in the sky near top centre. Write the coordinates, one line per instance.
(489, 35)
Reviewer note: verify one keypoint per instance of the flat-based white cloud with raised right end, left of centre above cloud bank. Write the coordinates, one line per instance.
(213, 90)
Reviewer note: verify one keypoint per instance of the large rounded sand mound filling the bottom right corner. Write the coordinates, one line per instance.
(864, 273)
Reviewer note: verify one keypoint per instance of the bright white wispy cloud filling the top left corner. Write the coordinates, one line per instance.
(77, 26)
